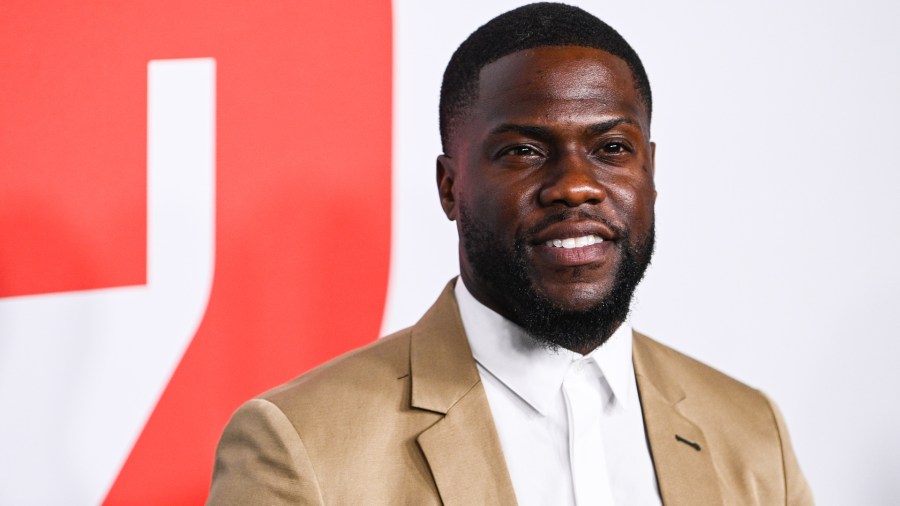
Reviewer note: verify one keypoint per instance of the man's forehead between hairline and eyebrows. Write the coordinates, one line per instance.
(558, 80)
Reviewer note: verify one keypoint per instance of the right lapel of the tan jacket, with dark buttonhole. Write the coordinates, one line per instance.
(682, 459)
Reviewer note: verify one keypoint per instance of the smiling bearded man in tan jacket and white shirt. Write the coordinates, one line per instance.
(524, 383)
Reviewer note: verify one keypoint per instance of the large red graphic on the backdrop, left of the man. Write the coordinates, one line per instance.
(303, 191)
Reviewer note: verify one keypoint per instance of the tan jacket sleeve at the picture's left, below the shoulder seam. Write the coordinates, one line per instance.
(261, 459)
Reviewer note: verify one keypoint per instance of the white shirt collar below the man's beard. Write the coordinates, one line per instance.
(532, 371)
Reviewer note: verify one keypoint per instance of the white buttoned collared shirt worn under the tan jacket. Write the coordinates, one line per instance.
(570, 425)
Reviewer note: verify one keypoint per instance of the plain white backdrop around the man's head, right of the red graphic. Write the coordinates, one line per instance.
(778, 234)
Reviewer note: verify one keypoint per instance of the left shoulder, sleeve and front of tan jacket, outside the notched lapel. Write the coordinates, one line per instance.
(314, 439)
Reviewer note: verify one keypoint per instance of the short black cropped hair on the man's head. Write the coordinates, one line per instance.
(534, 25)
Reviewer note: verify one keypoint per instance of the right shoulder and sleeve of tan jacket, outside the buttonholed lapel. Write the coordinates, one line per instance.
(746, 435)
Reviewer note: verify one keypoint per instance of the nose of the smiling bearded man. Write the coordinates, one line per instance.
(572, 181)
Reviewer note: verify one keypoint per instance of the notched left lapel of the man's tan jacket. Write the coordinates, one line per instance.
(462, 448)
